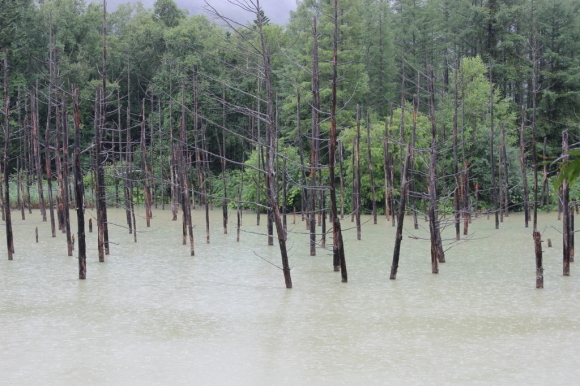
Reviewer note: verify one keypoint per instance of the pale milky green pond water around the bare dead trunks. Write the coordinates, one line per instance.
(152, 314)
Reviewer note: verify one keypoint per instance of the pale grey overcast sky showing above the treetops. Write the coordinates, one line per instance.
(277, 10)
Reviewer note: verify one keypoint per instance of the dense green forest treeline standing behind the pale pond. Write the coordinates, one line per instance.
(176, 108)
